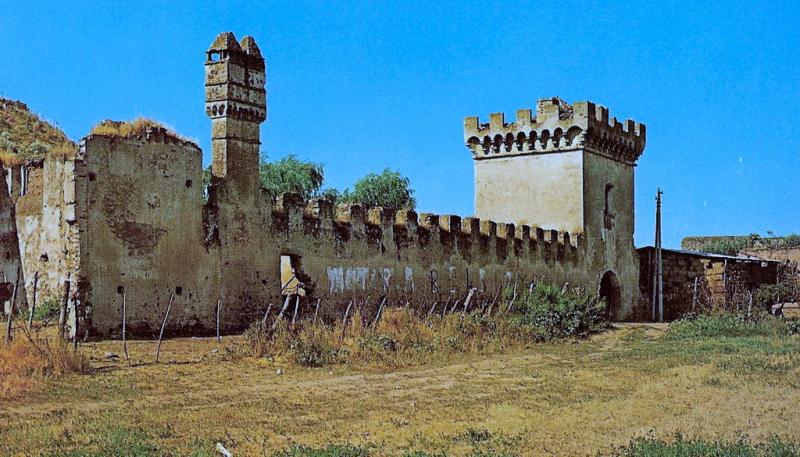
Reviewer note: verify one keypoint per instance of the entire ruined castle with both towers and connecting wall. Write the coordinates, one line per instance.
(128, 216)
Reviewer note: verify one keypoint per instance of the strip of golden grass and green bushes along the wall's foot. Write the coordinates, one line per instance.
(405, 335)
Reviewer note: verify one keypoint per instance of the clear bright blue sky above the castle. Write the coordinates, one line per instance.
(360, 86)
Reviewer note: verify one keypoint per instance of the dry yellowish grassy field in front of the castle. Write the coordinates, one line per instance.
(584, 397)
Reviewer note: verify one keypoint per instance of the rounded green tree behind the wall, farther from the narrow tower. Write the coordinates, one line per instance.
(389, 189)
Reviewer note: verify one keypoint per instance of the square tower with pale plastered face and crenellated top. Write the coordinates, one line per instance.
(569, 169)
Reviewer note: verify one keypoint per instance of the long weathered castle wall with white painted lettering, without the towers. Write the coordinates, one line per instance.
(145, 230)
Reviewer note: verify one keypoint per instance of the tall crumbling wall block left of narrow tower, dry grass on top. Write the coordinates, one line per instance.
(142, 234)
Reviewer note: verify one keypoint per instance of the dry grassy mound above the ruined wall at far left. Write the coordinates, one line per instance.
(26, 136)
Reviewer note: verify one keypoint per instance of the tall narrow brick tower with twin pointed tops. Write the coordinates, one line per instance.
(236, 102)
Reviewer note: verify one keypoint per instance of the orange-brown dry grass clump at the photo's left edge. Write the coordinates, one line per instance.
(26, 361)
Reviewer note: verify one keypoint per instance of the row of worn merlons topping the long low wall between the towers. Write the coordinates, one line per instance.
(407, 233)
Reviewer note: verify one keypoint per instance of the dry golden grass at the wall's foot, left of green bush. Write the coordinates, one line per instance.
(400, 338)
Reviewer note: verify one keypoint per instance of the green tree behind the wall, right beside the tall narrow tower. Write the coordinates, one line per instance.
(290, 174)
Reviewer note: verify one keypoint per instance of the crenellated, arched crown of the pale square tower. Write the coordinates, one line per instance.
(557, 127)
